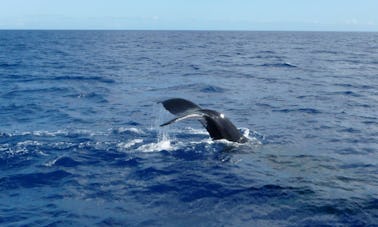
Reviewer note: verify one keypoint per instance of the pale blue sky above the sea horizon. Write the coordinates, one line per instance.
(282, 15)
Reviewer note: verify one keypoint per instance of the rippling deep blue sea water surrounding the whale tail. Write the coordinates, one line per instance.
(80, 142)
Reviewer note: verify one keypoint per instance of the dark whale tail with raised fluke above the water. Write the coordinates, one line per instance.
(217, 124)
